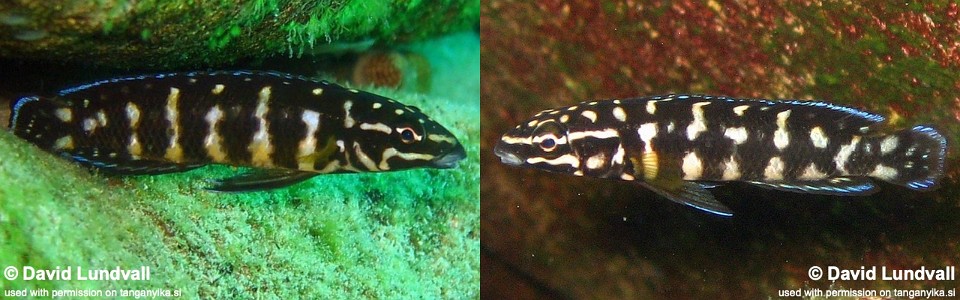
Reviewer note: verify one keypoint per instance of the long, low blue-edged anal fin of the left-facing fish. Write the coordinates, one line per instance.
(841, 186)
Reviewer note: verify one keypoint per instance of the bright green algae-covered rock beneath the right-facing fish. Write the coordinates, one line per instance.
(411, 234)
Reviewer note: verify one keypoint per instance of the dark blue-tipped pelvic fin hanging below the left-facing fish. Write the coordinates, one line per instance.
(689, 193)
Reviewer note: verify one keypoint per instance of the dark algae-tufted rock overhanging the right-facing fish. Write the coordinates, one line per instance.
(169, 34)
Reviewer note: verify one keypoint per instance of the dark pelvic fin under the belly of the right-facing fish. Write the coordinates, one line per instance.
(256, 180)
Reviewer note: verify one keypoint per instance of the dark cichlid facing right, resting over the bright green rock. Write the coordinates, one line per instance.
(290, 127)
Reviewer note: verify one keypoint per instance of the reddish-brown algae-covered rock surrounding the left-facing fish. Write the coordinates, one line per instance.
(553, 235)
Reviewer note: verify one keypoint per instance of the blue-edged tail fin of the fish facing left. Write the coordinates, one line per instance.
(912, 157)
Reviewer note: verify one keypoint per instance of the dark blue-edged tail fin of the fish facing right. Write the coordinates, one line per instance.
(35, 119)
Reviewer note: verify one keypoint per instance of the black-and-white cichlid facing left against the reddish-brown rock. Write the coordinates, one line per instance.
(679, 145)
